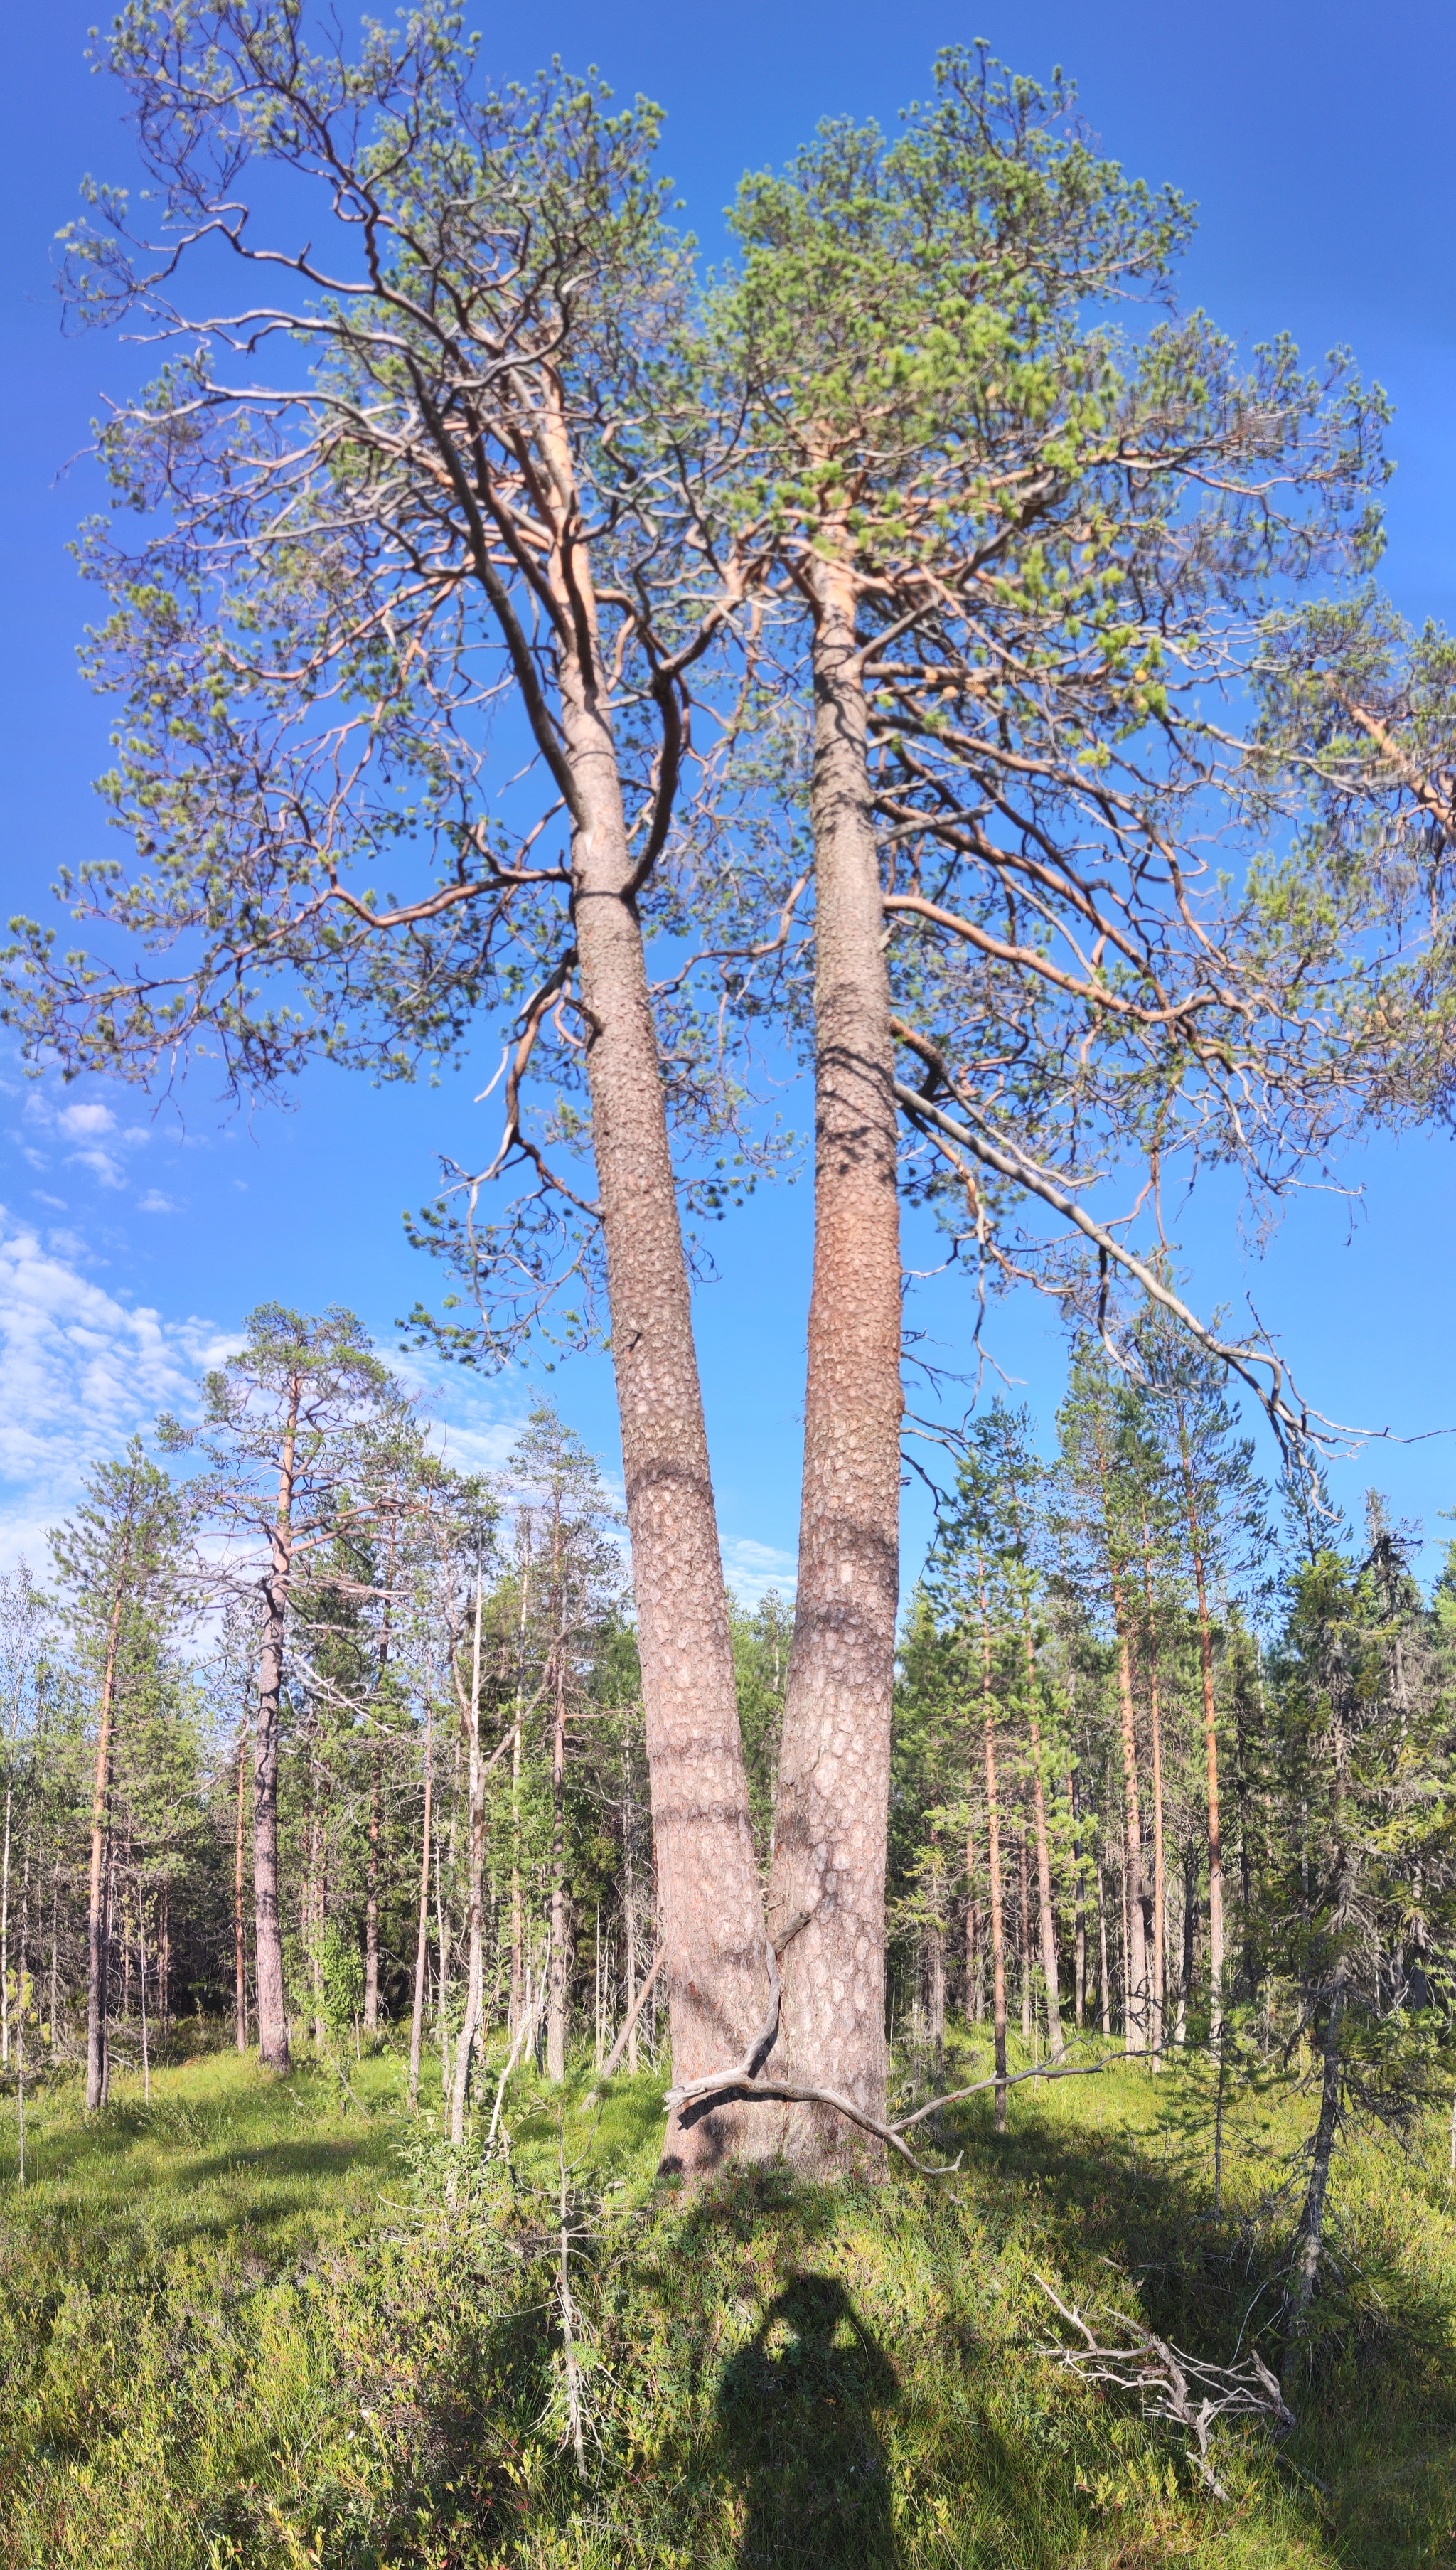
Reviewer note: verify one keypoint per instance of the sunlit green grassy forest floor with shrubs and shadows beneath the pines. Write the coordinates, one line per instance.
(245, 2327)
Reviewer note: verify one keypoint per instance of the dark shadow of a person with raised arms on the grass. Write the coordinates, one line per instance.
(797, 2417)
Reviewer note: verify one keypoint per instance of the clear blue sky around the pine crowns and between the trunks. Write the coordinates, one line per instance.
(132, 1243)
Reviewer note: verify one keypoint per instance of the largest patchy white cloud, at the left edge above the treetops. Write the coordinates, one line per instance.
(78, 1374)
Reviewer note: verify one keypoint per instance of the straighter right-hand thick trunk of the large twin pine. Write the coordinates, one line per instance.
(833, 1775)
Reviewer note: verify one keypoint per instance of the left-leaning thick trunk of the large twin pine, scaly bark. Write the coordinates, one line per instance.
(713, 1903)
